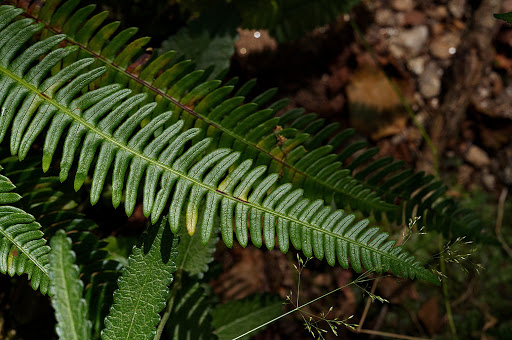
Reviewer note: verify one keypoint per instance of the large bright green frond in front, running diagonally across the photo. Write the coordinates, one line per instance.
(103, 127)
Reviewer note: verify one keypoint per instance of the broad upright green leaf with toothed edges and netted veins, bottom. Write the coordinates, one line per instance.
(143, 287)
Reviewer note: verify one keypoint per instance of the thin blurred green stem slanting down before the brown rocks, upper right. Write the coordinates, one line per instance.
(403, 101)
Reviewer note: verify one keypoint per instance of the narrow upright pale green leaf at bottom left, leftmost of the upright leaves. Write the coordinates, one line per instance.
(66, 288)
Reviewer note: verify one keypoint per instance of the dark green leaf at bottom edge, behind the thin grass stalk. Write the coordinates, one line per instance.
(238, 317)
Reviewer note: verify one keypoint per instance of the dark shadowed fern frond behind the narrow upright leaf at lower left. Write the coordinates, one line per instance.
(55, 210)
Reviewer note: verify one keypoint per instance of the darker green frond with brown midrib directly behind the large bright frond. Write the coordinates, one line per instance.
(248, 128)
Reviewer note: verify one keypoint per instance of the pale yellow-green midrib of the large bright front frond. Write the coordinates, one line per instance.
(108, 138)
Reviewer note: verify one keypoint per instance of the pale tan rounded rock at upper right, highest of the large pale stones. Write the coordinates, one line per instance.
(409, 42)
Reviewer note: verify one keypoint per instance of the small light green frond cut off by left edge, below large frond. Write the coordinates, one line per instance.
(23, 249)
